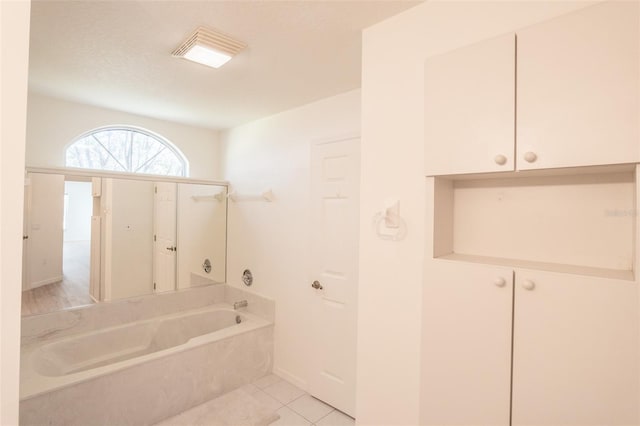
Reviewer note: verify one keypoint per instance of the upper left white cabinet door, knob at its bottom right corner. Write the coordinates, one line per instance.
(470, 109)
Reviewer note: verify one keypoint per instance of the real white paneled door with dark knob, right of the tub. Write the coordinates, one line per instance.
(335, 171)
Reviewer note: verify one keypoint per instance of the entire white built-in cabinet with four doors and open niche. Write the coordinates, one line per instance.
(530, 312)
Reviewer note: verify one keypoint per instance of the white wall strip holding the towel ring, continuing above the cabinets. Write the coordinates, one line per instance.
(392, 166)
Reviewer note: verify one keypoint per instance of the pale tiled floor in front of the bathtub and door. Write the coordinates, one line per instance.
(269, 400)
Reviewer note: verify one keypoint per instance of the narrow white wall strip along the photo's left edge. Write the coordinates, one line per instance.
(14, 57)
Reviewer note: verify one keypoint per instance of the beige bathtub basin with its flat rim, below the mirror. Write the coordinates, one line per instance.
(66, 361)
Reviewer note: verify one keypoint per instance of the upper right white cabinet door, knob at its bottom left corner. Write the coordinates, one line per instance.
(578, 89)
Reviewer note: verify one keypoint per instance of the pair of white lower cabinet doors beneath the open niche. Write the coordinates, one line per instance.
(574, 347)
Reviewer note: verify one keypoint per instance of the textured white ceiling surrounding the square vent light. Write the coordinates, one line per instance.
(117, 54)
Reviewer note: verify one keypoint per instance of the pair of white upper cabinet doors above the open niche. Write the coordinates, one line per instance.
(577, 96)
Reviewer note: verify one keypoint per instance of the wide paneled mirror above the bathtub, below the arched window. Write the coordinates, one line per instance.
(135, 263)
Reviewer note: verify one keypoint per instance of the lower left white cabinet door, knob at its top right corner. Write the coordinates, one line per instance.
(466, 364)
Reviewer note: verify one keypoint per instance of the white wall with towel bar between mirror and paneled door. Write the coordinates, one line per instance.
(272, 239)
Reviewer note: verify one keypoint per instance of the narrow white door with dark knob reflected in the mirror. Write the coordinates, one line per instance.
(164, 247)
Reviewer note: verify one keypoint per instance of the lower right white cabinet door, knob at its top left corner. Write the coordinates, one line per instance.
(575, 359)
